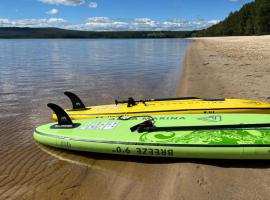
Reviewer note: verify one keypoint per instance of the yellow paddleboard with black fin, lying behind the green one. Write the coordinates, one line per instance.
(164, 107)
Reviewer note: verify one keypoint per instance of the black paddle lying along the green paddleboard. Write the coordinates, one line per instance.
(148, 127)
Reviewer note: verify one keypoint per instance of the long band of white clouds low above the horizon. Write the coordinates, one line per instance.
(109, 24)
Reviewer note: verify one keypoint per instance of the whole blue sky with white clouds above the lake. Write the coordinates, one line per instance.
(117, 15)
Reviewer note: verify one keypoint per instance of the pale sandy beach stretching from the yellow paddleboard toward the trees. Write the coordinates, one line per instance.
(227, 67)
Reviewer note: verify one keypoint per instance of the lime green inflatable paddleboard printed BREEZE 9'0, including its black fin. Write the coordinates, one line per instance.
(214, 136)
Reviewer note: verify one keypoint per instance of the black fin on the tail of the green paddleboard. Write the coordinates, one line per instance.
(64, 120)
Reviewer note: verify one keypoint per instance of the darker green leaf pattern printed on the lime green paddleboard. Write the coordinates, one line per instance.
(209, 137)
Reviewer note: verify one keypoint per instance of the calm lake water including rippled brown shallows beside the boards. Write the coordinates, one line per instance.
(36, 72)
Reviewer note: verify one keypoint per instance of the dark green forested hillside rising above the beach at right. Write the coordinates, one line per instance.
(252, 19)
